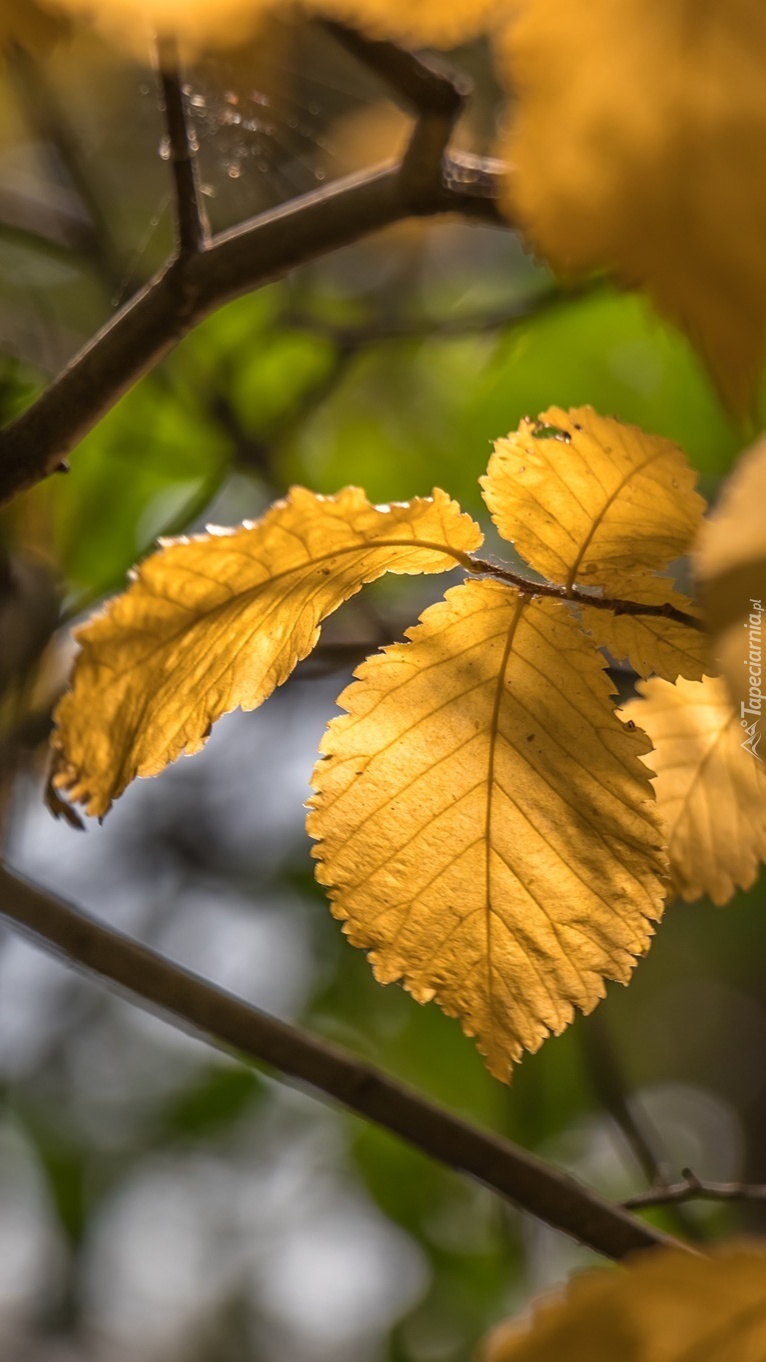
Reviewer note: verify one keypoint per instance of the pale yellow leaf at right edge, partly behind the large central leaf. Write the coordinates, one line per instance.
(711, 785)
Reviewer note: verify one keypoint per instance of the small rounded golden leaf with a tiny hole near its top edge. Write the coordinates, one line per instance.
(589, 501)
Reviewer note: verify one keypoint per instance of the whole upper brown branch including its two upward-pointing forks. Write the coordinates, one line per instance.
(206, 274)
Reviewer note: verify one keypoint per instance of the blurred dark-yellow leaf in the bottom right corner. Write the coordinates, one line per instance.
(667, 1307)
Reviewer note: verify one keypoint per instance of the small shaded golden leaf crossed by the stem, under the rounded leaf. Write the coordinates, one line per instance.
(652, 644)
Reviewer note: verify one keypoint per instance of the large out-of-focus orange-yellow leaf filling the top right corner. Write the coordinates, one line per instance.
(637, 144)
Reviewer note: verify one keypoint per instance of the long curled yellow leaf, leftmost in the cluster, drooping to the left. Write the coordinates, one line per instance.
(220, 620)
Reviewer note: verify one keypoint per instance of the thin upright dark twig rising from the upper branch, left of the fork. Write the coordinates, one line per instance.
(191, 220)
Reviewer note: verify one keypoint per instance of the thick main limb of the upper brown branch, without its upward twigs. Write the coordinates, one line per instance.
(269, 247)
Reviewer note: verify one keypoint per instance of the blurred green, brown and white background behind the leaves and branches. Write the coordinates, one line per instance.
(160, 1202)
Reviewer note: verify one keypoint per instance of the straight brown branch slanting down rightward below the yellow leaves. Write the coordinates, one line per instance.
(194, 1003)
